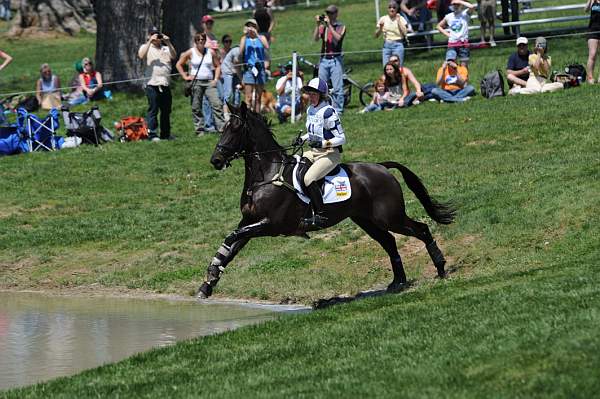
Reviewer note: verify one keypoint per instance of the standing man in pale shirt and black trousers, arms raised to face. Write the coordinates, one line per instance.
(158, 53)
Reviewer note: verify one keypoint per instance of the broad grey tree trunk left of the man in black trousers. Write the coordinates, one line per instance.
(122, 29)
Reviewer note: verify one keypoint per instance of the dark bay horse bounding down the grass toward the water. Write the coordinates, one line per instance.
(271, 208)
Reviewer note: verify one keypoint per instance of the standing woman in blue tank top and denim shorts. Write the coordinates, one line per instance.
(253, 46)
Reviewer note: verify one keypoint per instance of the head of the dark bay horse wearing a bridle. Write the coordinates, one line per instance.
(234, 138)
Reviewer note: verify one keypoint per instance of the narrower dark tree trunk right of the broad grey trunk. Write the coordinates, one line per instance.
(181, 20)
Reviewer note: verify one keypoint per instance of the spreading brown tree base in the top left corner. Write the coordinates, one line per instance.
(46, 16)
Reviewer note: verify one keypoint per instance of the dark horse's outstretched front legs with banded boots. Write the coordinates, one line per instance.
(233, 243)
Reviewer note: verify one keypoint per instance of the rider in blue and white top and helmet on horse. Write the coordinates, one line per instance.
(325, 136)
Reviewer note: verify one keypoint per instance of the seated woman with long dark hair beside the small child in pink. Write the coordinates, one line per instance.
(397, 83)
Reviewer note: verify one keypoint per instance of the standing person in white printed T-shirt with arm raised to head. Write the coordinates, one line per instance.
(455, 26)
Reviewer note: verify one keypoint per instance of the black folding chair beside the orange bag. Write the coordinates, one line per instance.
(85, 125)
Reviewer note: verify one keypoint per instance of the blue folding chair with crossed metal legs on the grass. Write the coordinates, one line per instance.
(40, 134)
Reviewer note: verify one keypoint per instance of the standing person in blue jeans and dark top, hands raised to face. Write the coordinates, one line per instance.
(331, 66)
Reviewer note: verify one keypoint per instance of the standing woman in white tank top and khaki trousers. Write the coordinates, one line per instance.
(204, 73)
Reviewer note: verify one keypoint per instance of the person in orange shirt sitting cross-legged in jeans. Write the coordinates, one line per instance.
(452, 81)
